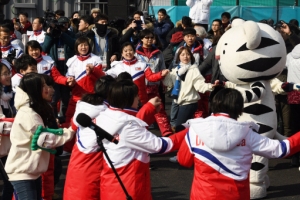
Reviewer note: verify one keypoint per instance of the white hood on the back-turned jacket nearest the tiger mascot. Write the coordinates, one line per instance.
(221, 133)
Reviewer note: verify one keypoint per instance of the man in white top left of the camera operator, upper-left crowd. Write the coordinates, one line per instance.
(37, 31)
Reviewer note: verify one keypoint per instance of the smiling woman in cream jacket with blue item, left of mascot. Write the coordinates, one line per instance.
(187, 81)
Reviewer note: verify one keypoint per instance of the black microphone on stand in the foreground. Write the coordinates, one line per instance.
(85, 121)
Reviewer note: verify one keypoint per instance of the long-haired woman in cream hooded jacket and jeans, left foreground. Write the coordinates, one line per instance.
(25, 166)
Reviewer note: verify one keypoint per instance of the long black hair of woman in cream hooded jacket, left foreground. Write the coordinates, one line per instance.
(32, 84)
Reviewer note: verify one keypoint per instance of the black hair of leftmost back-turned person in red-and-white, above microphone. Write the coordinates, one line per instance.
(101, 89)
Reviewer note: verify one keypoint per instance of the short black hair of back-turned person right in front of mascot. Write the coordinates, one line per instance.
(228, 101)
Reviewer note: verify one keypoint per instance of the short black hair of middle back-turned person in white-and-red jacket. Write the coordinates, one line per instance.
(122, 93)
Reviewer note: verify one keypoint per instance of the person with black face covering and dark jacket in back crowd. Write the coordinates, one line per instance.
(106, 41)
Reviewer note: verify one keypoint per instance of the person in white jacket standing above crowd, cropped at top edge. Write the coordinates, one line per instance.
(199, 11)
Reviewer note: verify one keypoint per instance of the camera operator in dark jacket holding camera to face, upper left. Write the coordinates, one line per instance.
(59, 45)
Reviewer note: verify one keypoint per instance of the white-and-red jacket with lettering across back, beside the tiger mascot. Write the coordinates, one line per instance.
(221, 149)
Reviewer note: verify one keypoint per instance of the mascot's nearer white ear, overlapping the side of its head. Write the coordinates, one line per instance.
(253, 34)
